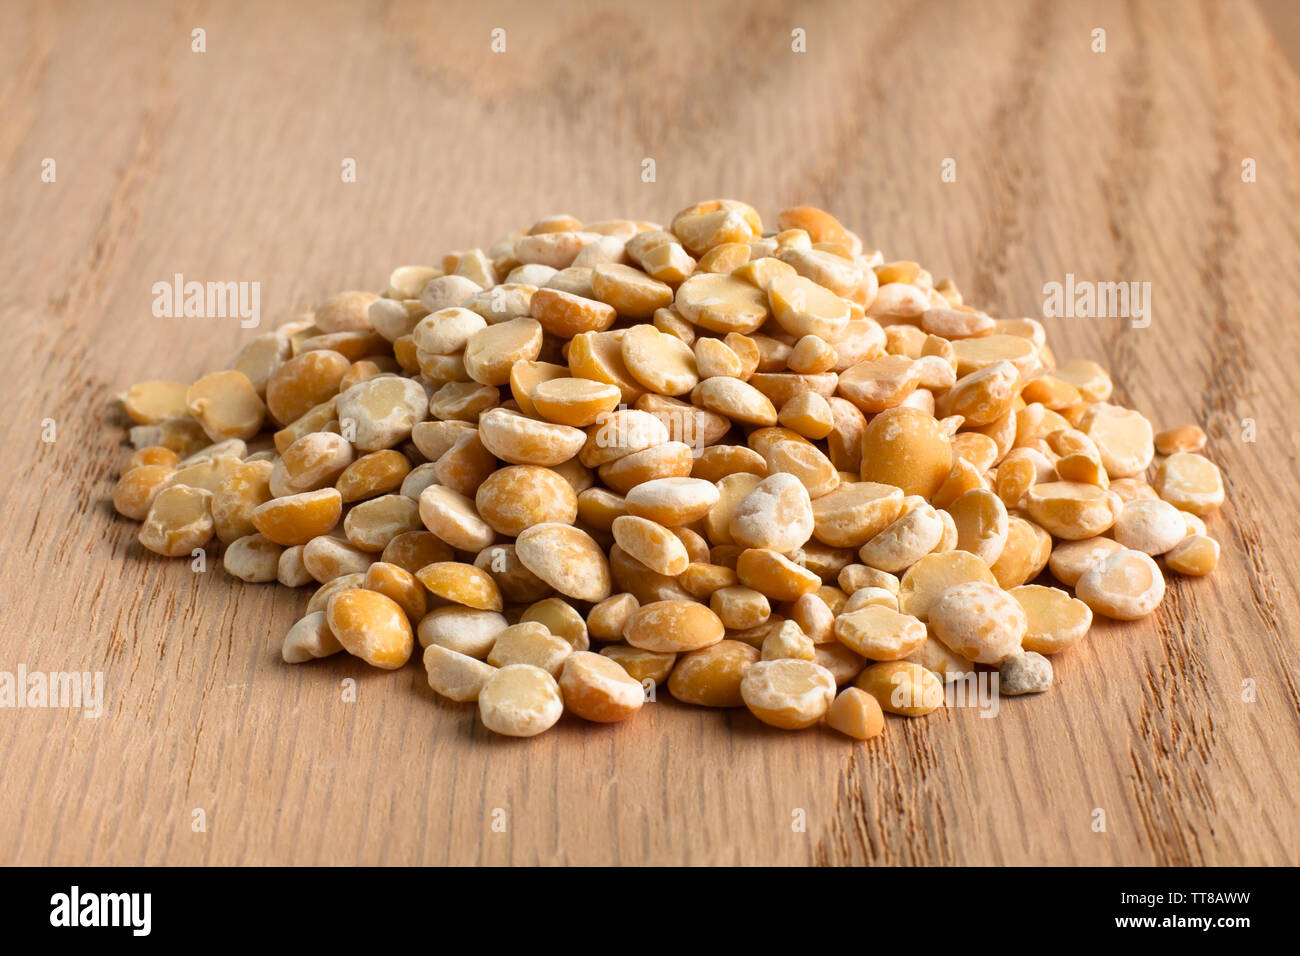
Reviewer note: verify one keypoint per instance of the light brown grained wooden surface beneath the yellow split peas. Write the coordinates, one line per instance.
(226, 166)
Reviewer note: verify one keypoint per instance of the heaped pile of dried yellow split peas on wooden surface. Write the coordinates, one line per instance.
(769, 469)
